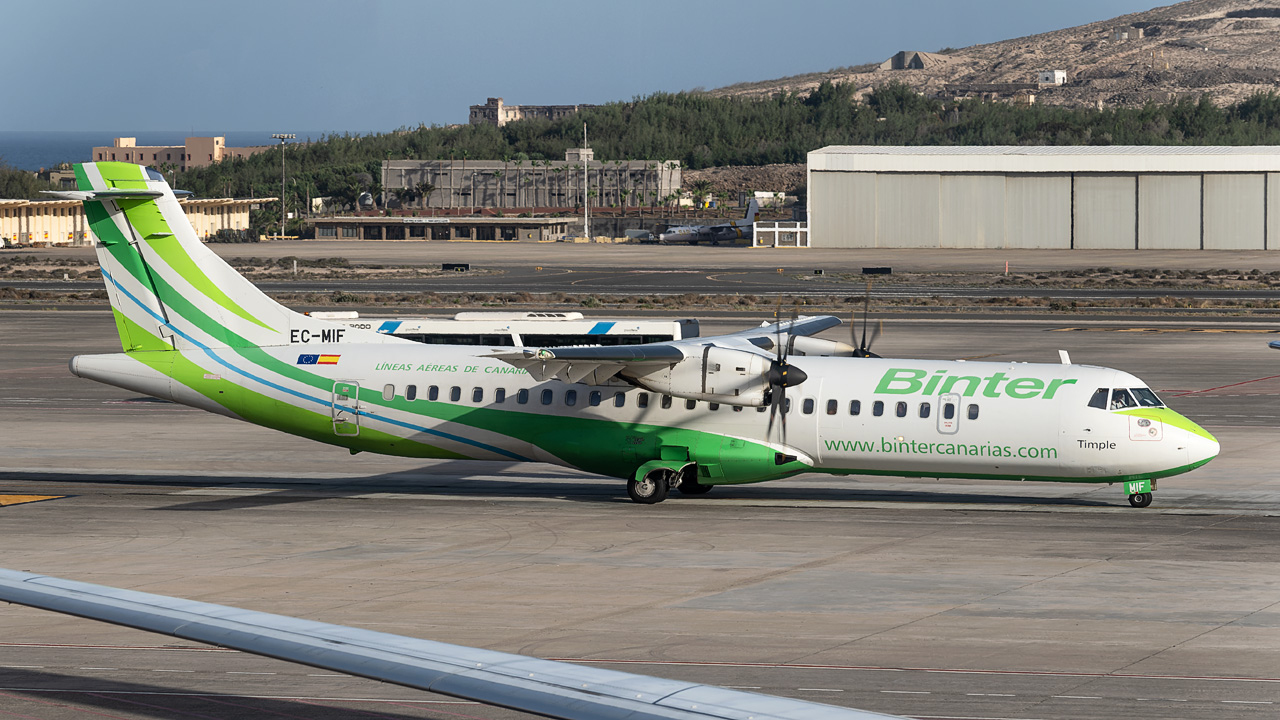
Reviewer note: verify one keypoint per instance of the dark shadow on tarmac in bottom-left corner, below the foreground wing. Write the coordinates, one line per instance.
(44, 690)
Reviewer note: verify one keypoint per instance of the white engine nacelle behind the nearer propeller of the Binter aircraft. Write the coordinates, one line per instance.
(720, 375)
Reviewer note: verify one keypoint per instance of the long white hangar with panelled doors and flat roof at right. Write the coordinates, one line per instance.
(1151, 198)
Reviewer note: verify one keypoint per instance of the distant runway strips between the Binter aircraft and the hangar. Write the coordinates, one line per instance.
(647, 270)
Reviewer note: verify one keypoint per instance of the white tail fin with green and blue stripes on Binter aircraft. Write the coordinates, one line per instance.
(167, 289)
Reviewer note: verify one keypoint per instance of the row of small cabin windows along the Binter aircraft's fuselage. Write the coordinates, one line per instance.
(596, 398)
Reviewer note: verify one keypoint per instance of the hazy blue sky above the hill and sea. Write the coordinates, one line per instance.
(382, 65)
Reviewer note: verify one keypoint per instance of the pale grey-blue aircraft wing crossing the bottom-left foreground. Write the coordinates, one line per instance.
(543, 687)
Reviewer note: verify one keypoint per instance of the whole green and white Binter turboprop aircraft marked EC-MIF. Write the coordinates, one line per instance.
(687, 414)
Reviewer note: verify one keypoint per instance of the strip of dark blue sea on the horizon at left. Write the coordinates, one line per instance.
(31, 151)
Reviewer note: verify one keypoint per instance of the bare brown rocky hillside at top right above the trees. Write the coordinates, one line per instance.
(1228, 49)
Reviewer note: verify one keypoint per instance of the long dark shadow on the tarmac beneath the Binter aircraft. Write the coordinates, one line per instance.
(481, 481)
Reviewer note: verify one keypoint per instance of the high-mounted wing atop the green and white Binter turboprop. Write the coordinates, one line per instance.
(597, 364)
